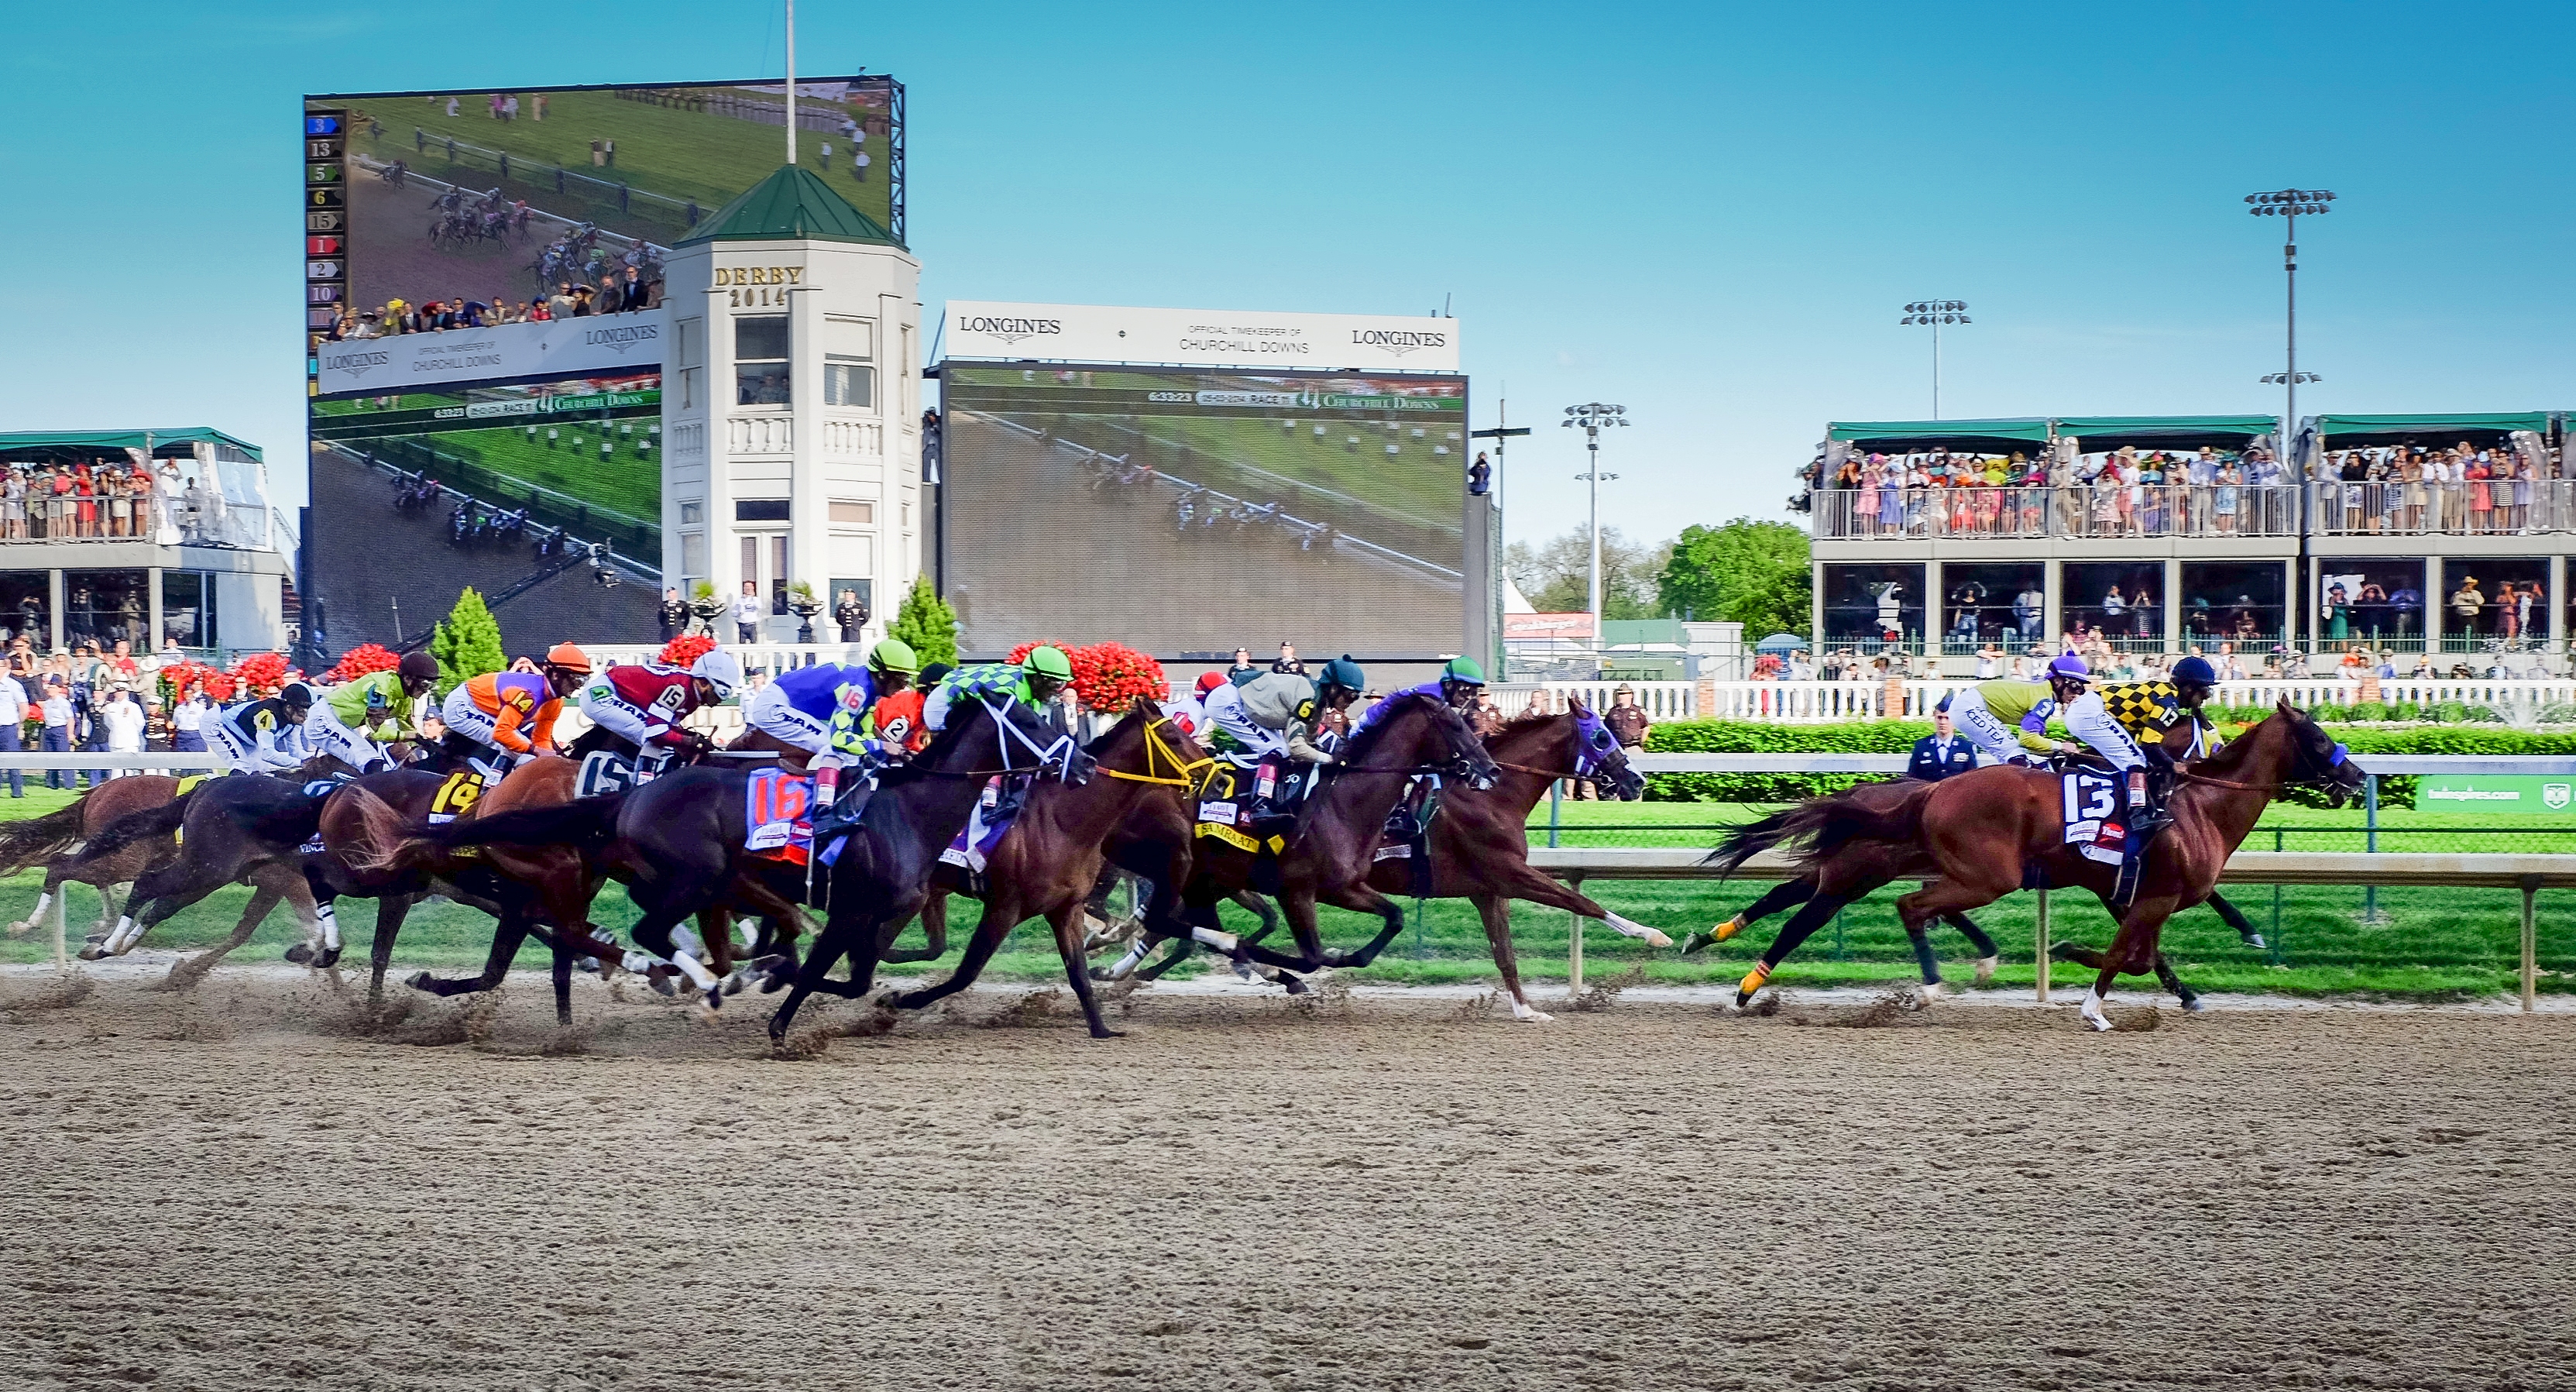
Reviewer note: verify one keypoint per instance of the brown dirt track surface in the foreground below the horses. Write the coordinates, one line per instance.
(241, 1190)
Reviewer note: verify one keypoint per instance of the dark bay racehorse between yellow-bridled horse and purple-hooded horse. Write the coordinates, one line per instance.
(1331, 852)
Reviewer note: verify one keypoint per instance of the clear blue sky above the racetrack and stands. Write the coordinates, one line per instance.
(1709, 215)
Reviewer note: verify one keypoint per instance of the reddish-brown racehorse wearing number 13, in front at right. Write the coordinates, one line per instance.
(1982, 831)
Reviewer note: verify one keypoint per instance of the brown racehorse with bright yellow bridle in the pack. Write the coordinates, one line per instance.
(1052, 855)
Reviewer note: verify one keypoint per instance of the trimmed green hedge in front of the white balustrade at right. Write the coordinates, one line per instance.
(1897, 736)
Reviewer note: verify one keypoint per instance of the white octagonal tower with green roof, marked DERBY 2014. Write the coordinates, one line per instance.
(792, 406)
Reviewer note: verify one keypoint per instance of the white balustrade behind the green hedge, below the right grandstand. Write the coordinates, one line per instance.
(1915, 700)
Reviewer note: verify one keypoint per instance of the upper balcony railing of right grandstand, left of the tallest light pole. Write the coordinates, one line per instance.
(2075, 512)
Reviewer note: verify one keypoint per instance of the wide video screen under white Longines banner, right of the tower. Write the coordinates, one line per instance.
(1202, 512)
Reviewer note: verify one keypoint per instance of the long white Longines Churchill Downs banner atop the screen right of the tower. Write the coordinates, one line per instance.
(1099, 334)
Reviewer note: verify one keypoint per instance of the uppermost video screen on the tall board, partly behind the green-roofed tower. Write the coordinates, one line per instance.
(493, 202)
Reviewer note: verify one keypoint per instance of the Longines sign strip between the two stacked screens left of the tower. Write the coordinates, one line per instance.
(596, 344)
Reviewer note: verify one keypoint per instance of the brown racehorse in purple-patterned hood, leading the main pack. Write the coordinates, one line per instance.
(1480, 844)
